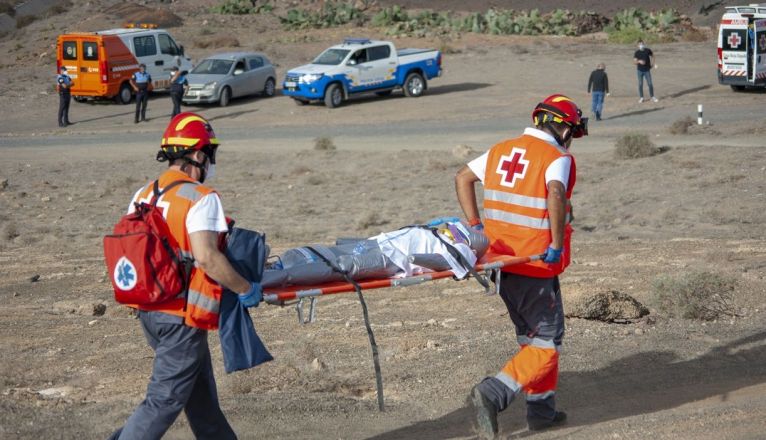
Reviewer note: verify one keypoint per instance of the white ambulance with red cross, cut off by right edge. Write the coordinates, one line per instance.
(742, 47)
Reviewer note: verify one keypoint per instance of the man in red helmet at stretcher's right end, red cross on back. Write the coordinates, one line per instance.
(528, 183)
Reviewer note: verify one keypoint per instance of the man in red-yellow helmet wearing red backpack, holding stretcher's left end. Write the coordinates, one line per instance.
(182, 374)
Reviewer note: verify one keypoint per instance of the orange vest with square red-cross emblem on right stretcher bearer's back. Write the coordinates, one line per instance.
(515, 203)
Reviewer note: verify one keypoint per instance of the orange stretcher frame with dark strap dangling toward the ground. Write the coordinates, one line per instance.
(489, 264)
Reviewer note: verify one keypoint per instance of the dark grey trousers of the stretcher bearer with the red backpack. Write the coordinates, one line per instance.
(182, 379)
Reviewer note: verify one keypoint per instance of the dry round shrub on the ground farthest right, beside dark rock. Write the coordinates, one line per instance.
(696, 295)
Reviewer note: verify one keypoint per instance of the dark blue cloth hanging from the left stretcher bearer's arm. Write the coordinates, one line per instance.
(242, 348)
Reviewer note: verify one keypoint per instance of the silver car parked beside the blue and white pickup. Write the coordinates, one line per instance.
(221, 77)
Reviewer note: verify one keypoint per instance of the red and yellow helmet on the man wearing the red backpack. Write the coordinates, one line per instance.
(187, 132)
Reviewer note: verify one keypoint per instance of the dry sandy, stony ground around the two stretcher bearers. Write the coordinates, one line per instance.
(696, 207)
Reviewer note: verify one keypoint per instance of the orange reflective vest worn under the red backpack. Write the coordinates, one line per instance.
(200, 306)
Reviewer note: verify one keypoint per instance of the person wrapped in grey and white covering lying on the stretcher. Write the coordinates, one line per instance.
(448, 244)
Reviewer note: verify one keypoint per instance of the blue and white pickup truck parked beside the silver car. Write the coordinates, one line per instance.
(362, 66)
